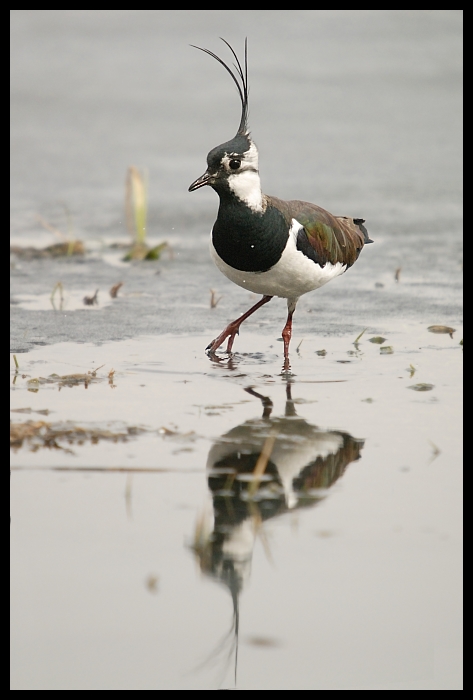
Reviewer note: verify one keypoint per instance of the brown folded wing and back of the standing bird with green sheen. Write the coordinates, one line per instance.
(332, 238)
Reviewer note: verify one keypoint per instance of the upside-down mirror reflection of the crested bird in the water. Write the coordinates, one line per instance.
(258, 470)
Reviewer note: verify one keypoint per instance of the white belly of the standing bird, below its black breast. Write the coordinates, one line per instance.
(295, 274)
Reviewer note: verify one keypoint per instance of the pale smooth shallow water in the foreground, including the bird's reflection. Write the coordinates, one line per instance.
(94, 523)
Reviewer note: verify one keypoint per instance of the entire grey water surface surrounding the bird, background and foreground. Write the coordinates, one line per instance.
(140, 533)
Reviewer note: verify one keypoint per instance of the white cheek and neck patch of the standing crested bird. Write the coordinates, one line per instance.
(244, 181)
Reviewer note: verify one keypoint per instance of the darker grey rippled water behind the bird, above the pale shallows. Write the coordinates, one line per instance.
(358, 111)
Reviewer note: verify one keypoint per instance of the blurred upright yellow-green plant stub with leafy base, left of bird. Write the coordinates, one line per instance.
(136, 205)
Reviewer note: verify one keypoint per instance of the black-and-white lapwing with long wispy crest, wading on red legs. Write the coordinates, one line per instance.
(262, 243)
